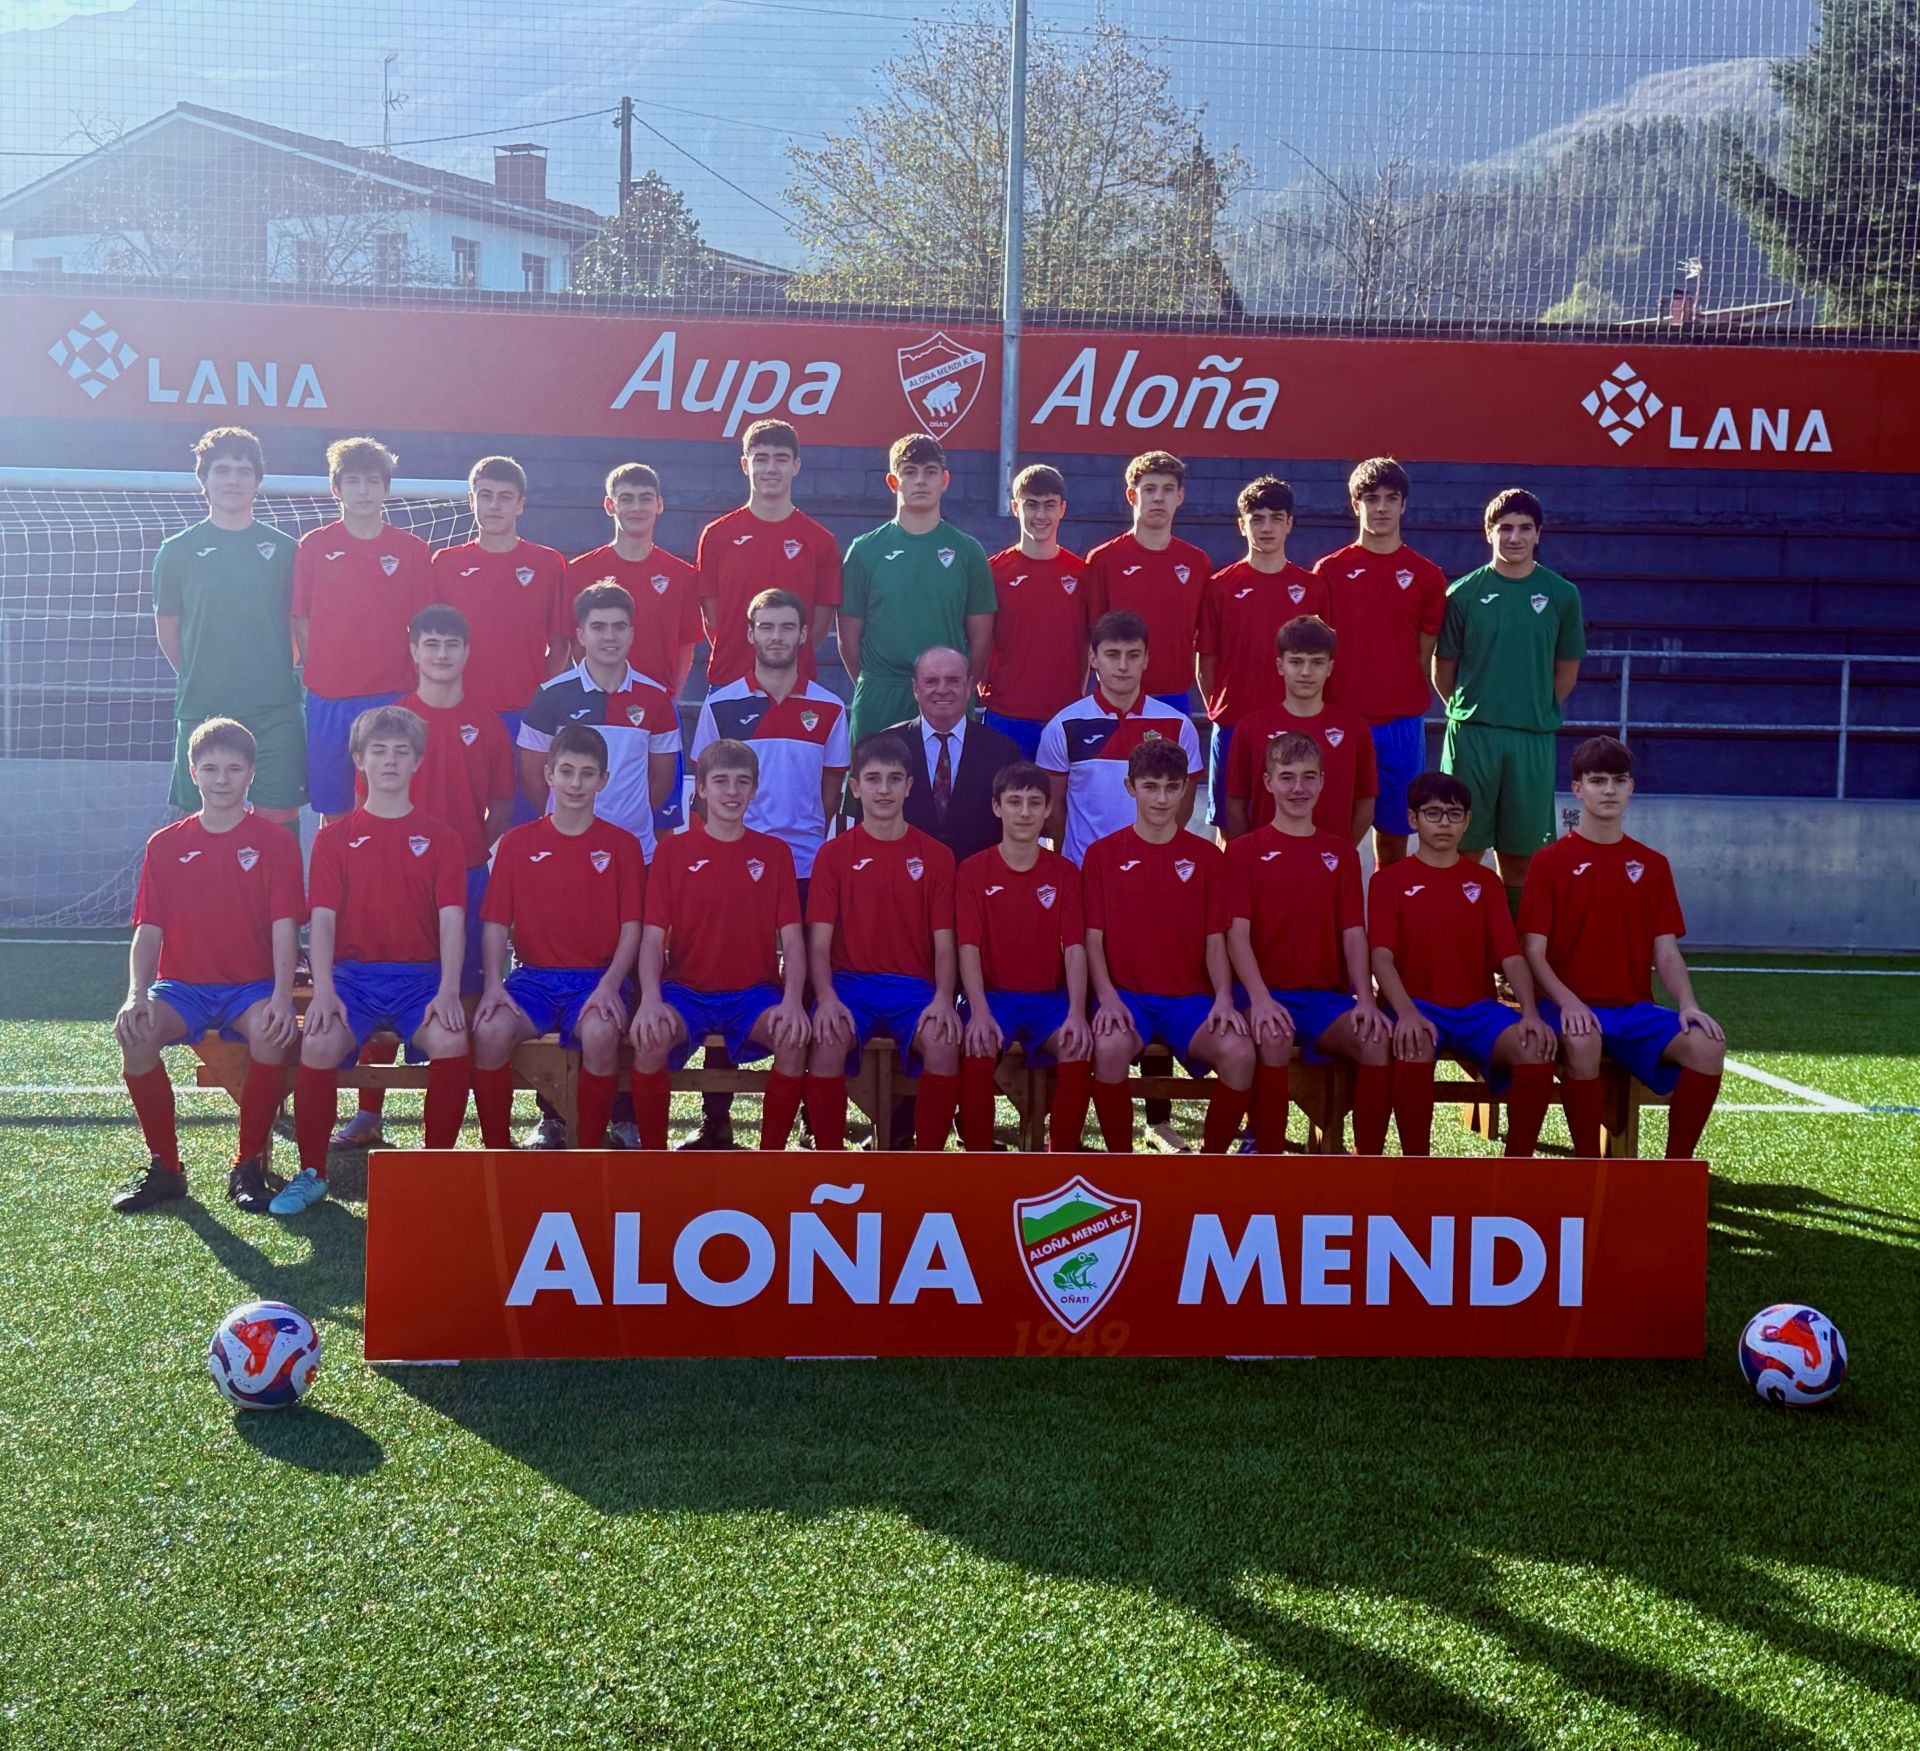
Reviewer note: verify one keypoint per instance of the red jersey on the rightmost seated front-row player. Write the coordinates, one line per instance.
(1600, 907)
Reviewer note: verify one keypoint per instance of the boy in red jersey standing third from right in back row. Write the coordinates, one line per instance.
(1241, 613)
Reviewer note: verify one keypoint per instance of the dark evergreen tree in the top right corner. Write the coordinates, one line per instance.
(1842, 212)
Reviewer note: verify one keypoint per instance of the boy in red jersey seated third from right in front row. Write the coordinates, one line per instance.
(1299, 947)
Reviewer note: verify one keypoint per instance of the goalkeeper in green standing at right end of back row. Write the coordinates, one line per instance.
(1508, 658)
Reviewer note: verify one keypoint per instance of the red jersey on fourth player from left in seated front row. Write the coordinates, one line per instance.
(723, 907)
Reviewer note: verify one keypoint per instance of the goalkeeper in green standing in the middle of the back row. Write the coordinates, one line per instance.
(909, 587)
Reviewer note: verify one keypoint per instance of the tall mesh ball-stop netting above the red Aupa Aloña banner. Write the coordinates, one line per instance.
(1236, 164)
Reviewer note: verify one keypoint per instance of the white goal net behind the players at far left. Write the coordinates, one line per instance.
(85, 694)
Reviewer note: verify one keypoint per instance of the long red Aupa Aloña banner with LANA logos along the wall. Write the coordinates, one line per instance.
(1264, 398)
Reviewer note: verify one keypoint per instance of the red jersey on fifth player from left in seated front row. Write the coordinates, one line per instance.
(884, 899)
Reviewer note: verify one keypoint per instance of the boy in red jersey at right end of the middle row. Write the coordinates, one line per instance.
(1351, 775)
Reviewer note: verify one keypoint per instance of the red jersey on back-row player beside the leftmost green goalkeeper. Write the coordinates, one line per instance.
(358, 598)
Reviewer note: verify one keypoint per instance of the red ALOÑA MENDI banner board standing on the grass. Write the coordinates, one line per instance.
(481, 1257)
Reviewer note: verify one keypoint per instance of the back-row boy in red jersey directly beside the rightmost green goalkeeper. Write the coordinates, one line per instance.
(1387, 604)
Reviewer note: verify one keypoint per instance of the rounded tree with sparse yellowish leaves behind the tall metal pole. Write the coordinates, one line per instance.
(1120, 203)
